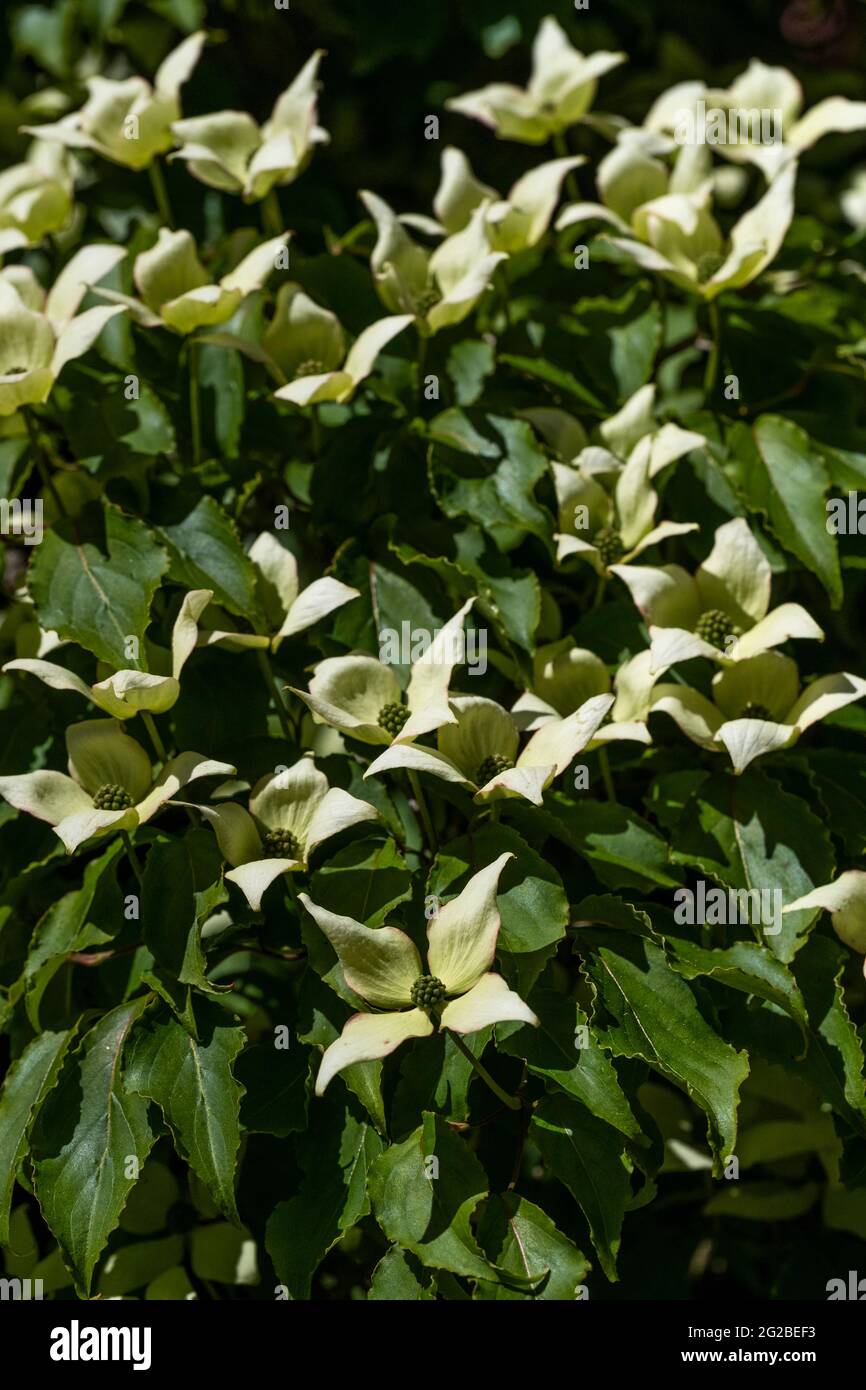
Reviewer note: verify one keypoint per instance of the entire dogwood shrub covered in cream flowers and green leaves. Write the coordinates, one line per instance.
(432, 764)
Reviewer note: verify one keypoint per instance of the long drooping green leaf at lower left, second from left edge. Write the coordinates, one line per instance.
(91, 1143)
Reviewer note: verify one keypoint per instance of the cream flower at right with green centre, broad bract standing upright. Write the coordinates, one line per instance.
(721, 612)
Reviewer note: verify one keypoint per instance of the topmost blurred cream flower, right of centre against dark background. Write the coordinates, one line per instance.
(561, 91)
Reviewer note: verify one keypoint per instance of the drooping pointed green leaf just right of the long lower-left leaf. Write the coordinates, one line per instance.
(193, 1082)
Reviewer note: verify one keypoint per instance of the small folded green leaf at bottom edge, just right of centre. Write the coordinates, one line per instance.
(523, 1239)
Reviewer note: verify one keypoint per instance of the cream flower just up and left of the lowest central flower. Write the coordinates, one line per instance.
(291, 814)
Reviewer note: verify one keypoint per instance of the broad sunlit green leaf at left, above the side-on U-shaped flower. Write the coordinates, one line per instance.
(99, 597)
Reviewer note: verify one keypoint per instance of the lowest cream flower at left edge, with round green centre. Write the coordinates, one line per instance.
(112, 786)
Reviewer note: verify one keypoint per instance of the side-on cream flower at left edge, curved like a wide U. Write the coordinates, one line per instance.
(126, 693)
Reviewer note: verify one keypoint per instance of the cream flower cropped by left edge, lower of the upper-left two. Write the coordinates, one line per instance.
(40, 334)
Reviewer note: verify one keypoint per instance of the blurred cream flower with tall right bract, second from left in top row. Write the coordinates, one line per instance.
(231, 152)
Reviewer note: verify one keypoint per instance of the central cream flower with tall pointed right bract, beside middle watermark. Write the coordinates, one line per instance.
(362, 697)
